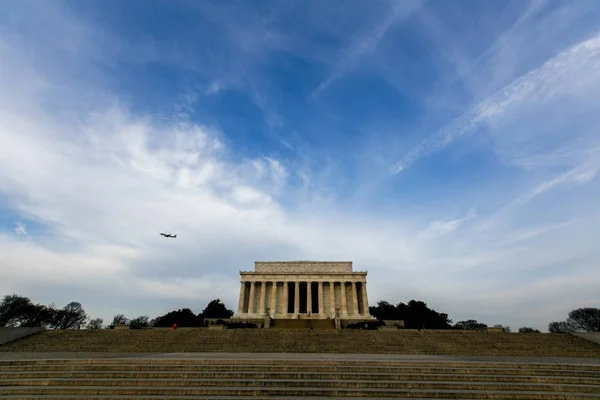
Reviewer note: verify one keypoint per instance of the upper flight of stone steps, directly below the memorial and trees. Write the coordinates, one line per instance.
(469, 343)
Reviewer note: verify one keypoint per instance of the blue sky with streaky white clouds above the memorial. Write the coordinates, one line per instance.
(449, 148)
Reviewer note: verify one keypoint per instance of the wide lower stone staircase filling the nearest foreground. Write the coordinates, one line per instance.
(126, 378)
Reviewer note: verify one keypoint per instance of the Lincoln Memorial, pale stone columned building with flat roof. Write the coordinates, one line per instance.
(303, 290)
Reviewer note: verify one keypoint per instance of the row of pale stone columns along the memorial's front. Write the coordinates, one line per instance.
(320, 298)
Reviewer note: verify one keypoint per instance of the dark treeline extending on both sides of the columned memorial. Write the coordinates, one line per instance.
(18, 310)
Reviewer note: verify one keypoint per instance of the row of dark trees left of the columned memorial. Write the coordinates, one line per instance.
(20, 311)
